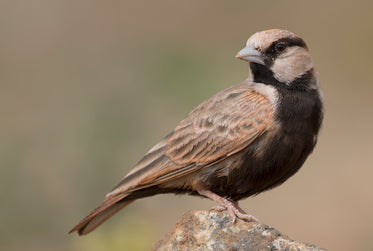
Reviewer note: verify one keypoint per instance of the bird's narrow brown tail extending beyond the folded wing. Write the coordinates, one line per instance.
(100, 214)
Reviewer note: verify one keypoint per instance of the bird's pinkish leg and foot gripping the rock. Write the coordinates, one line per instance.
(228, 204)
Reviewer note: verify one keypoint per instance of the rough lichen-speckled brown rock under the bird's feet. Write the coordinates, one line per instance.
(212, 230)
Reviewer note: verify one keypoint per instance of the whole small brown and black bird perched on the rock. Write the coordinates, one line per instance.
(244, 140)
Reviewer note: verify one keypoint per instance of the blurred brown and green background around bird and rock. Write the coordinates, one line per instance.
(87, 87)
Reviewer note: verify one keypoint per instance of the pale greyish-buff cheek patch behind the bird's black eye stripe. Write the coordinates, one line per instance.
(292, 64)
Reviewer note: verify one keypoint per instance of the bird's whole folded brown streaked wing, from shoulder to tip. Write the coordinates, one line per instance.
(219, 127)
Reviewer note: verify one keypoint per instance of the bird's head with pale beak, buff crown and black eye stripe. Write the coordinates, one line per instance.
(278, 57)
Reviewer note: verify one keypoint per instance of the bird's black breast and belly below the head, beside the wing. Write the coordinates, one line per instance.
(273, 158)
